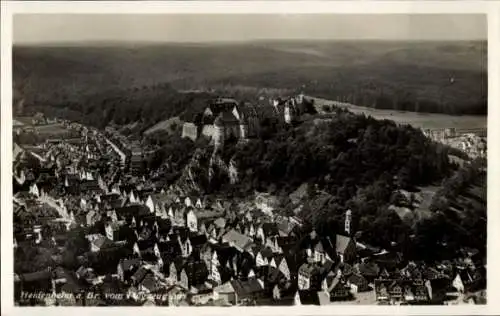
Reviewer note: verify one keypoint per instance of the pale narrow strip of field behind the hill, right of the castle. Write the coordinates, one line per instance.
(419, 120)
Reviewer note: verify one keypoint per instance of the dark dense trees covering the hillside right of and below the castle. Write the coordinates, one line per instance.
(359, 163)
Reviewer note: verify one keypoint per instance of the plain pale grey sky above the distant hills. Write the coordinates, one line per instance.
(54, 28)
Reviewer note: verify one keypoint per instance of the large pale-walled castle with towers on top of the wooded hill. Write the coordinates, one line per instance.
(226, 118)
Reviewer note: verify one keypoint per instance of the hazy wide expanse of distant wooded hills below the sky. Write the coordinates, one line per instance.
(448, 77)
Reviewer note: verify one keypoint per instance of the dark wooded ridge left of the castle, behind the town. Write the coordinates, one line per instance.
(143, 106)
